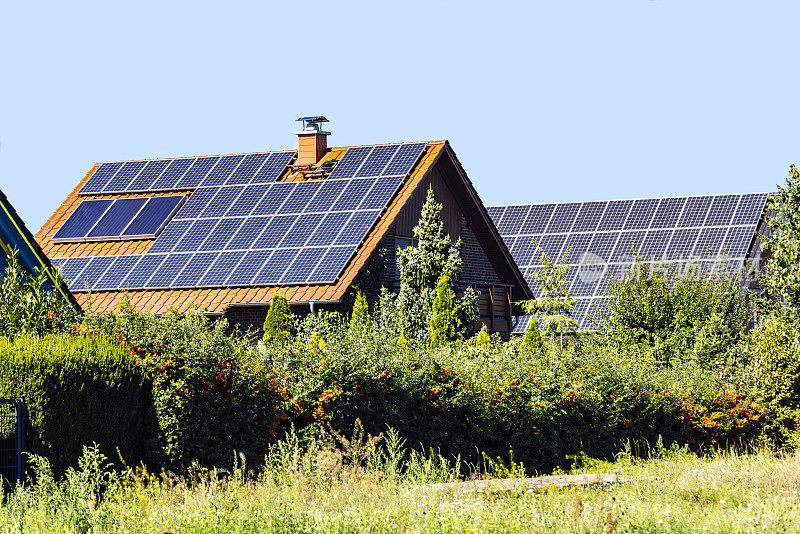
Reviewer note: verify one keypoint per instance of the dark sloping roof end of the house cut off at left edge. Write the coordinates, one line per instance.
(15, 235)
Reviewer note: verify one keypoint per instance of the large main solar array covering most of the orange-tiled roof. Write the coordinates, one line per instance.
(242, 228)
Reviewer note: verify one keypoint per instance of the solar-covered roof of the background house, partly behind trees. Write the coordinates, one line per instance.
(717, 233)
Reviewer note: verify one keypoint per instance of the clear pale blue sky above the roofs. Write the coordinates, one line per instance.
(542, 101)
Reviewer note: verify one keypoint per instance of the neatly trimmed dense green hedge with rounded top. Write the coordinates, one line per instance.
(79, 390)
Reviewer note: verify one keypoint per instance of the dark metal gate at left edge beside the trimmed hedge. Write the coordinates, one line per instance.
(12, 442)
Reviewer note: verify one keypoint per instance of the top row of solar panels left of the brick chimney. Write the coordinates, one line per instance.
(187, 173)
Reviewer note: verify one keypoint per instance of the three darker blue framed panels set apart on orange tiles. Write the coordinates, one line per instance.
(121, 218)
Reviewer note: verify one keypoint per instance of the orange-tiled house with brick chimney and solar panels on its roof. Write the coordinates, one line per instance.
(225, 233)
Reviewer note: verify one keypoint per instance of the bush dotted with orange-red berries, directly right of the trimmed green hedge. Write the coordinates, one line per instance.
(213, 395)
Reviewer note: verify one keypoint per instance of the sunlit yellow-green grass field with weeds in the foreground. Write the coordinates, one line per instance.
(675, 493)
